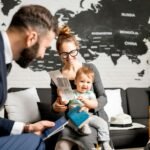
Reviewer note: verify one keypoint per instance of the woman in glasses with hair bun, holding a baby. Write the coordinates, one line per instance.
(68, 49)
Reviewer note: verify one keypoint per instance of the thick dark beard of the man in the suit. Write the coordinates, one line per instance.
(28, 55)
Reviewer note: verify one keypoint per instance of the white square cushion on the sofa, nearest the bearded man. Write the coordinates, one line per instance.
(22, 106)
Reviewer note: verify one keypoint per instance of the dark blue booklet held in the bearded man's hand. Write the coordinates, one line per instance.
(59, 125)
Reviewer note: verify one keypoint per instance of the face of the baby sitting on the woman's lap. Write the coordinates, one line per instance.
(83, 83)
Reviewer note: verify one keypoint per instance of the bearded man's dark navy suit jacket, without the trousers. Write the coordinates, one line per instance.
(5, 125)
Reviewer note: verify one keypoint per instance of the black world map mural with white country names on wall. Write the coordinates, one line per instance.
(111, 27)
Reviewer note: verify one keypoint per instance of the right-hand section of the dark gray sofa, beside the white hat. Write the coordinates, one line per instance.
(135, 102)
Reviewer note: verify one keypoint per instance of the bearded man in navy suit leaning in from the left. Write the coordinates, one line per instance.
(29, 34)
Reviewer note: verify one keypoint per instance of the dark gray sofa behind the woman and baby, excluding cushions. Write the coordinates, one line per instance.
(135, 102)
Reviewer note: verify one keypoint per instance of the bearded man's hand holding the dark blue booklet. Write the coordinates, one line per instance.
(38, 127)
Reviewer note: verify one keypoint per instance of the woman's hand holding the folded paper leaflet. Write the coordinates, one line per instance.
(59, 105)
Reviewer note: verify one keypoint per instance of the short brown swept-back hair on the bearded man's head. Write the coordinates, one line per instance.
(35, 16)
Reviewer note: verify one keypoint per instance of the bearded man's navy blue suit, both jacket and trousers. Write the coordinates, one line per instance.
(20, 142)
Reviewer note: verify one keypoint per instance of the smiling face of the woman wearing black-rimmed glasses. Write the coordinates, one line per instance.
(69, 52)
